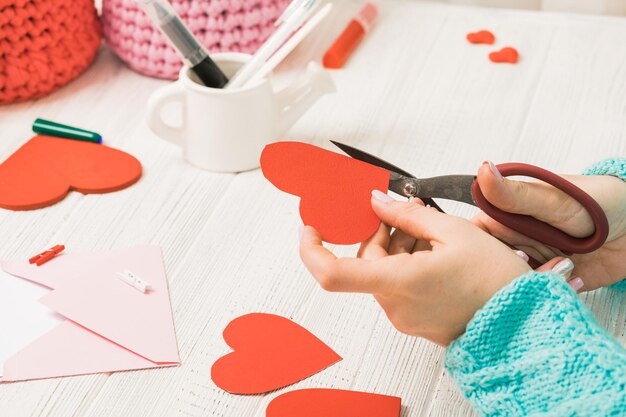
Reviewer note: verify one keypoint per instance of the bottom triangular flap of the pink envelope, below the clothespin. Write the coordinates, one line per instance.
(70, 350)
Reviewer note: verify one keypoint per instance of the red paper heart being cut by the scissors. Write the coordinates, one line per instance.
(335, 190)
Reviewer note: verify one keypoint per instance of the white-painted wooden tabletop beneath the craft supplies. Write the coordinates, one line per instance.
(415, 93)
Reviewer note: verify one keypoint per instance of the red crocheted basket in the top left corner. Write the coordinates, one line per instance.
(44, 44)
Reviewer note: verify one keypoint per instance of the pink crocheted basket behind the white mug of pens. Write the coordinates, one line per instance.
(221, 25)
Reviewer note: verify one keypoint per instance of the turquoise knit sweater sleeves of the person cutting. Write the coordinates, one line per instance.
(536, 350)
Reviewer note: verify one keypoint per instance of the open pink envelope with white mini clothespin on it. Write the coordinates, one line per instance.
(109, 325)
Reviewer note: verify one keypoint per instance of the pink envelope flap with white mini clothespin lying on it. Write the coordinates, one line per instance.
(88, 291)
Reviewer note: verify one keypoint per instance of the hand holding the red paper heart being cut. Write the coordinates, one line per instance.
(430, 276)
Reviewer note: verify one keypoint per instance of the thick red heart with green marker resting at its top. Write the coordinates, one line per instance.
(45, 169)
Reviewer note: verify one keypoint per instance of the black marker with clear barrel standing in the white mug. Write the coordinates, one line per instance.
(194, 55)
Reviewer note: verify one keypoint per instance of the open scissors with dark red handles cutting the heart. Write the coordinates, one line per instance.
(465, 188)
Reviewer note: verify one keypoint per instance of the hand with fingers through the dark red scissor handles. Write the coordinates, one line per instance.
(602, 267)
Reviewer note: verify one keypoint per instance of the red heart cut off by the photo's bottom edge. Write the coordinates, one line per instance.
(333, 403)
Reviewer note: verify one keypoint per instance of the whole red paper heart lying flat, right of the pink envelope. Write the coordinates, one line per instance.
(269, 352)
